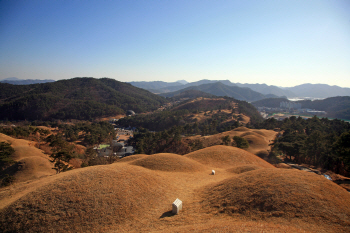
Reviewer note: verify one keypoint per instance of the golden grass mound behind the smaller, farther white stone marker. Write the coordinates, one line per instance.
(227, 156)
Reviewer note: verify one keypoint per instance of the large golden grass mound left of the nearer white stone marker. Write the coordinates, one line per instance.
(86, 200)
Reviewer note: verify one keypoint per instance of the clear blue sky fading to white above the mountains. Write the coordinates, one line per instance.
(283, 43)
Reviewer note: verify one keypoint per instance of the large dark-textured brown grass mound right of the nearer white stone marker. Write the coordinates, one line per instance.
(283, 193)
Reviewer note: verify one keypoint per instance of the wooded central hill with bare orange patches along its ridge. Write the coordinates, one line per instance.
(184, 115)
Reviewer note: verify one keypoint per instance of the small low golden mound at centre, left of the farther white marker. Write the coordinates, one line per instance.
(169, 162)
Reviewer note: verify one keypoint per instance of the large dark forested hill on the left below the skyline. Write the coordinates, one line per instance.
(77, 98)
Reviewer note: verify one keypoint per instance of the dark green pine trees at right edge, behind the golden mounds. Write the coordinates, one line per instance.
(319, 142)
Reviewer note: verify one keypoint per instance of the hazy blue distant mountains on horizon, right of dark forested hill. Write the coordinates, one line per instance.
(304, 90)
